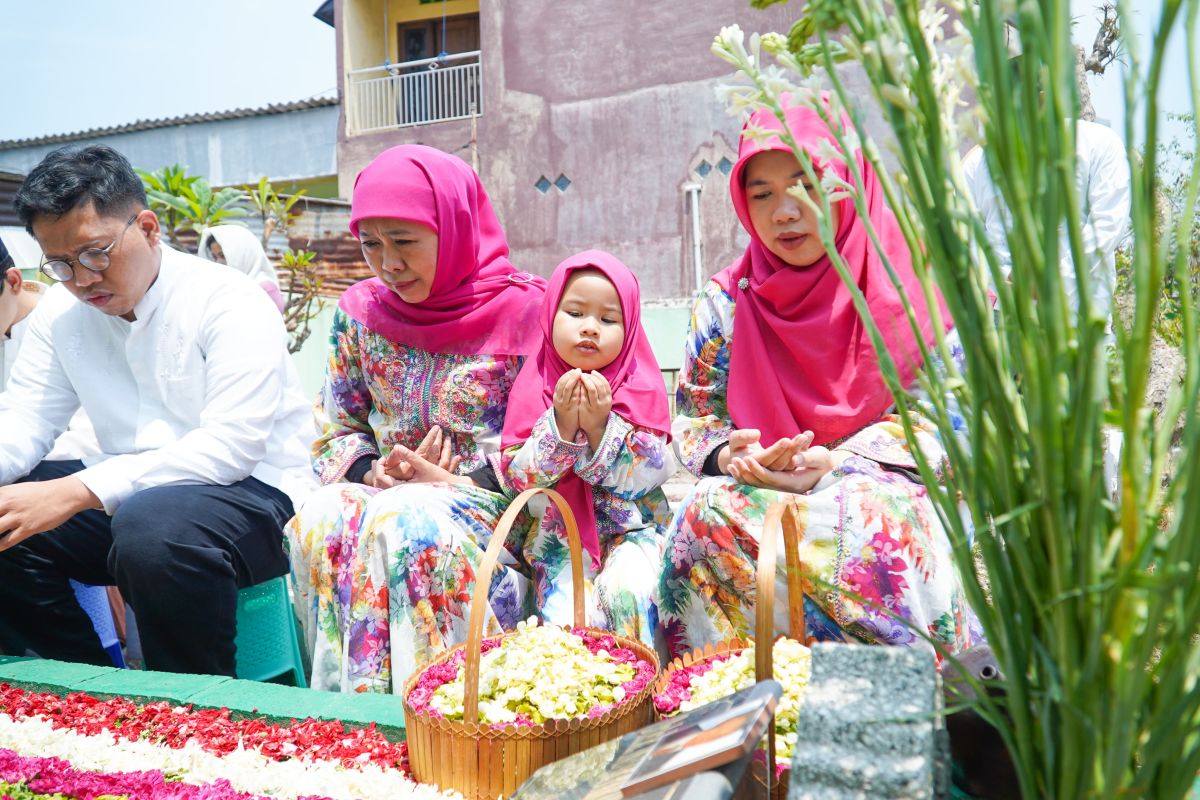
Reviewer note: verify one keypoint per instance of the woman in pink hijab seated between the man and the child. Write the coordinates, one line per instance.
(423, 358)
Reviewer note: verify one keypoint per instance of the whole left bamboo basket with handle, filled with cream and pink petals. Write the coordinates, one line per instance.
(487, 715)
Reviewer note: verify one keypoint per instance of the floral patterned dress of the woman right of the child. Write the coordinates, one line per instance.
(875, 557)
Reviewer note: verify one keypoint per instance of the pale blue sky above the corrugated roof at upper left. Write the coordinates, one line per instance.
(73, 65)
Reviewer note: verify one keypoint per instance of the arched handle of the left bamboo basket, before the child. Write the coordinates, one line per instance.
(484, 581)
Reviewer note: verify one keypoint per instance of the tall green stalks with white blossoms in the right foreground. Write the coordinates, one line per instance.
(1094, 610)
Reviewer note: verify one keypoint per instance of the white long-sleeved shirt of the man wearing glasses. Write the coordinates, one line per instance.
(200, 389)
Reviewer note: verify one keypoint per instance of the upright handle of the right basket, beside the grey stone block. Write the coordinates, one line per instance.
(778, 515)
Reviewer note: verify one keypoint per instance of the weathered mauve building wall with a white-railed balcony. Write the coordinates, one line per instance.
(591, 124)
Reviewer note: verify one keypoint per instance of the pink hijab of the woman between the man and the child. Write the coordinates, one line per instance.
(479, 304)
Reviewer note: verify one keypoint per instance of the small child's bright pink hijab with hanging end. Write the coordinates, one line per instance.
(639, 394)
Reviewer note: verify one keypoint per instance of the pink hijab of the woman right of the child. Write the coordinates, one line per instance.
(802, 359)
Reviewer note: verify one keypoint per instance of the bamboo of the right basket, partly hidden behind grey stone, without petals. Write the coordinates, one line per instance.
(781, 515)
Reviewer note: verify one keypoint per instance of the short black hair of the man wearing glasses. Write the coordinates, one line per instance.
(70, 177)
